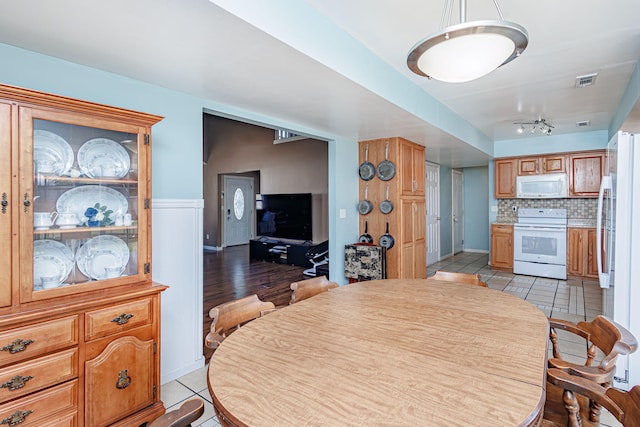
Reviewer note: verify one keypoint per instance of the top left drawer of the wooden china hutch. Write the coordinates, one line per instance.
(30, 341)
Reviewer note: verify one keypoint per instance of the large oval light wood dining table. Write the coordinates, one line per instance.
(386, 353)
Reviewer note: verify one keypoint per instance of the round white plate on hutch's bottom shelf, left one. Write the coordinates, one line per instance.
(51, 259)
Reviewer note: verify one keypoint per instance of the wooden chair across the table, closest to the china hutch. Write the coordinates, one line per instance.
(229, 316)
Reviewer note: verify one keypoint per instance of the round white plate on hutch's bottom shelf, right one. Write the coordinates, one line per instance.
(103, 257)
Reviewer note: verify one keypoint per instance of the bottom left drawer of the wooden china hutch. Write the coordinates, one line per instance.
(36, 408)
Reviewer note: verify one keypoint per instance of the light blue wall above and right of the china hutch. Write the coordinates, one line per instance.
(177, 140)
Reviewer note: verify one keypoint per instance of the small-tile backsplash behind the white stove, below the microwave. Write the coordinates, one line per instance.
(576, 208)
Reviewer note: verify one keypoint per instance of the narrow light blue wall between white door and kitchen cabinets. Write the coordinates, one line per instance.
(476, 215)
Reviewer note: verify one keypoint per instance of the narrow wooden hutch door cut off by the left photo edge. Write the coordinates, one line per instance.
(5, 204)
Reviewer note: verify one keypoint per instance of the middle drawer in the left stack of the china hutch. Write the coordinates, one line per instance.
(34, 375)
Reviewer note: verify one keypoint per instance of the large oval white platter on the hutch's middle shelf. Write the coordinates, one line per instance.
(78, 199)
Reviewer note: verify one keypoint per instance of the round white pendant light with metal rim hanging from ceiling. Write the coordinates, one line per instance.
(468, 50)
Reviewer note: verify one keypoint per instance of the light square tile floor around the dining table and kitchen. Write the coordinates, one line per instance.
(572, 300)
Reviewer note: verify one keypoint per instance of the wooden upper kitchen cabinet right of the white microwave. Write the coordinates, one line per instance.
(586, 173)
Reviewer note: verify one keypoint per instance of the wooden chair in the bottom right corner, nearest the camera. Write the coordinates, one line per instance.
(624, 406)
